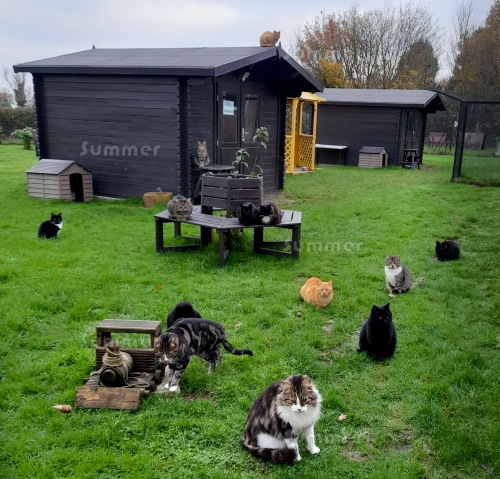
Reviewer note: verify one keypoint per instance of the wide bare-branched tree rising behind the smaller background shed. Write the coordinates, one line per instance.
(368, 46)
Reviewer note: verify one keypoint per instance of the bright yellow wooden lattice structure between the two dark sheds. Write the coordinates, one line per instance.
(300, 137)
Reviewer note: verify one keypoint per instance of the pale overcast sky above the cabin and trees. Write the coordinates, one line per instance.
(33, 29)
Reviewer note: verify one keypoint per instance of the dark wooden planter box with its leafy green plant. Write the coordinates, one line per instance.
(228, 192)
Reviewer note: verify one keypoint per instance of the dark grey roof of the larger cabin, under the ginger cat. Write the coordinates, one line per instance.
(202, 61)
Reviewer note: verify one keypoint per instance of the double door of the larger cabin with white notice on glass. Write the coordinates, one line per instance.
(238, 117)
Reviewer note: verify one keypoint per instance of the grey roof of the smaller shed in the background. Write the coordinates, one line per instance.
(427, 99)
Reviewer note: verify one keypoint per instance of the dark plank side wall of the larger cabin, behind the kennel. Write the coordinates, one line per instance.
(123, 129)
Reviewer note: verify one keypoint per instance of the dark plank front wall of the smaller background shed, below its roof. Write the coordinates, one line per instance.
(358, 126)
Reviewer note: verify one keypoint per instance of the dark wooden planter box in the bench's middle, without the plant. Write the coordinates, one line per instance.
(227, 192)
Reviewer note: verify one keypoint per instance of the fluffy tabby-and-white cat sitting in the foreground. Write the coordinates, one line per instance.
(285, 409)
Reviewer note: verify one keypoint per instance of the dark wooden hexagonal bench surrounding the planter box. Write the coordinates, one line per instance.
(222, 225)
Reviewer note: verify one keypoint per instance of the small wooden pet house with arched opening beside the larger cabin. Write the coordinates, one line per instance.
(60, 180)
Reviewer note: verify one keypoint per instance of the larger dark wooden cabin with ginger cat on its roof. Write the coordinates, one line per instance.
(134, 117)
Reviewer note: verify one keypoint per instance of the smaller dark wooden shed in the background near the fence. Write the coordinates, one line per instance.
(390, 119)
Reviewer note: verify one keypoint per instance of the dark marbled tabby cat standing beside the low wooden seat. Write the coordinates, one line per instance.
(188, 337)
